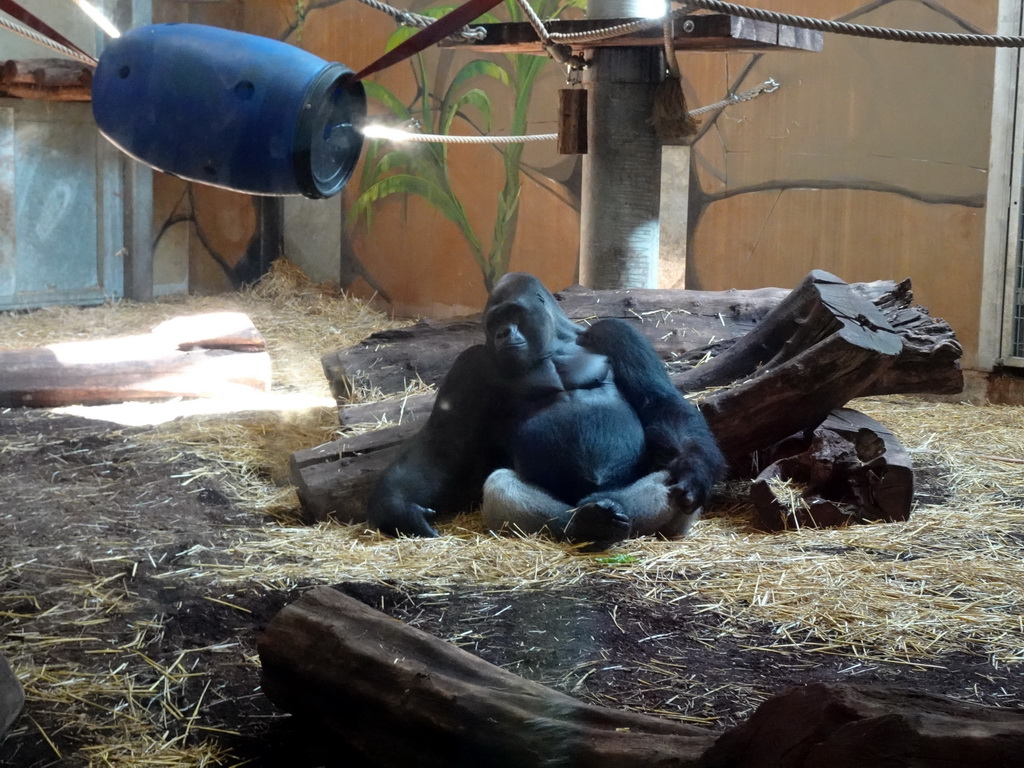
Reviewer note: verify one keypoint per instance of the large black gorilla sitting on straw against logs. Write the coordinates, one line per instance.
(574, 432)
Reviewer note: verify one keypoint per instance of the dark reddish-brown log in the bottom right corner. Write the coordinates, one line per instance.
(844, 727)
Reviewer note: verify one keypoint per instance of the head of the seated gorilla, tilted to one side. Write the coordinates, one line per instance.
(524, 323)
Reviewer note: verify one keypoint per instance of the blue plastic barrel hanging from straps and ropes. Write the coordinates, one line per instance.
(231, 110)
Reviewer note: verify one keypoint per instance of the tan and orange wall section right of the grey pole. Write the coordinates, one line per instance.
(870, 162)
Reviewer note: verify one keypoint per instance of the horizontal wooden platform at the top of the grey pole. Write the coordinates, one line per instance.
(711, 33)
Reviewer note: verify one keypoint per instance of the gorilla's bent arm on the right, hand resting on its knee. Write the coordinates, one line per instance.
(677, 436)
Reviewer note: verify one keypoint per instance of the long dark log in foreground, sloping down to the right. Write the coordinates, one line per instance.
(399, 697)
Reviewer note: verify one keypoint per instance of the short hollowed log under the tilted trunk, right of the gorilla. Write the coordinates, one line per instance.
(851, 470)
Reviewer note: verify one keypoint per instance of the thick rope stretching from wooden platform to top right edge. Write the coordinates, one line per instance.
(858, 30)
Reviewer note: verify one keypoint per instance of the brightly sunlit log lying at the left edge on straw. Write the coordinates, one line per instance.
(215, 355)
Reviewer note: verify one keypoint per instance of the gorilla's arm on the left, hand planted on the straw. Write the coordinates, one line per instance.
(443, 467)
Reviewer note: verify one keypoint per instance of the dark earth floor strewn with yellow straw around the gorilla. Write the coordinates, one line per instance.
(139, 564)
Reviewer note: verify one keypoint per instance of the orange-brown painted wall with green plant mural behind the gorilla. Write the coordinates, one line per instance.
(871, 162)
